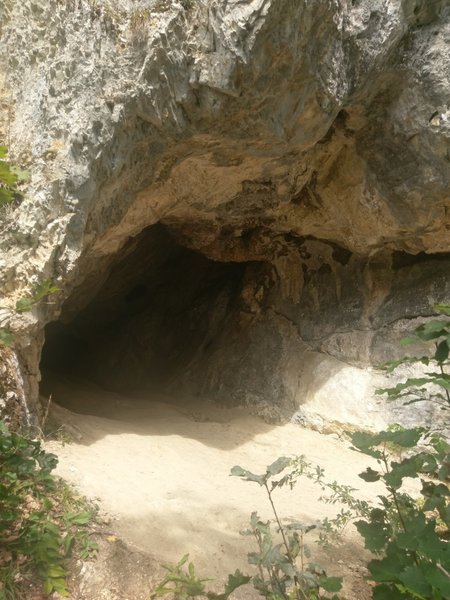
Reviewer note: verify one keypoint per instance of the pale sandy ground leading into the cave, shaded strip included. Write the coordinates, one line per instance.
(161, 470)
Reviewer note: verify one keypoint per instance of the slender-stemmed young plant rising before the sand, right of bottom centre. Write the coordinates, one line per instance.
(284, 569)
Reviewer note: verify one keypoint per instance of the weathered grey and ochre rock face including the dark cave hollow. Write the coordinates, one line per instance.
(242, 200)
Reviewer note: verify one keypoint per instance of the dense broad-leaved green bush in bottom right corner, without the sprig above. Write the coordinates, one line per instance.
(410, 536)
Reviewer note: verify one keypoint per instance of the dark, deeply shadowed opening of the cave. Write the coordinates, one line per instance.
(159, 310)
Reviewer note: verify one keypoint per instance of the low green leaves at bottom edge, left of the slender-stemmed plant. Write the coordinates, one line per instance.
(185, 584)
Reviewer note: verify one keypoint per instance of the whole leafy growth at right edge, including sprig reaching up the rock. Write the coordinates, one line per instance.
(412, 534)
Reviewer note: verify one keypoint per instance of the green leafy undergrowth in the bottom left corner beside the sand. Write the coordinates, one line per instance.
(37, 532)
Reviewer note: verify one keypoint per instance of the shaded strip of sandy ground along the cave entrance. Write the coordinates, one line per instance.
(145, 415)
